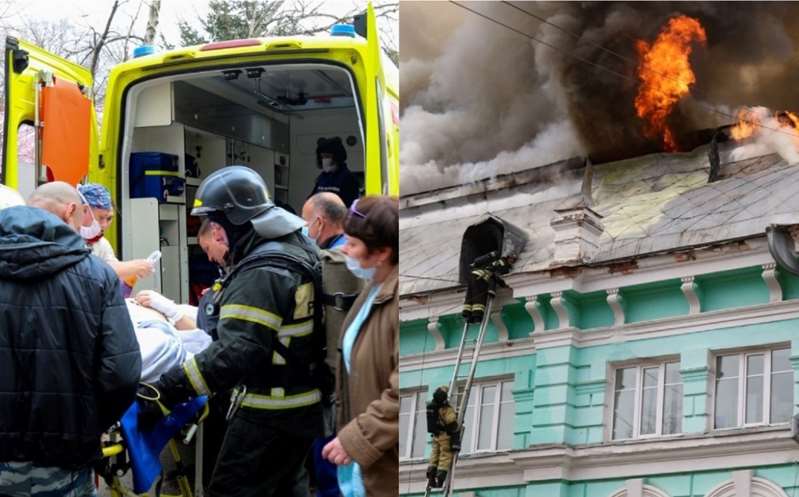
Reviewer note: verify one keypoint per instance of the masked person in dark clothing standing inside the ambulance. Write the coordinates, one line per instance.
(331, 158)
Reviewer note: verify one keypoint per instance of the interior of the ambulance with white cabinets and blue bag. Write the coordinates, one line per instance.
(179, 129)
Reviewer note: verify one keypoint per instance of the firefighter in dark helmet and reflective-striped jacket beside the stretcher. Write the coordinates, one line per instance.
(268, 342)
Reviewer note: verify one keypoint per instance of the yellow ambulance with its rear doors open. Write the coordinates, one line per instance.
(265, 103)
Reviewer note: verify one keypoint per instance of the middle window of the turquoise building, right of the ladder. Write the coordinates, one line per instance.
(647, 401)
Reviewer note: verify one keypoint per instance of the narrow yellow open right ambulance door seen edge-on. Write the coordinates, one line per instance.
(381, 176)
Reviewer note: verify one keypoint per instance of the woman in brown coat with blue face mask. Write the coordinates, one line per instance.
(366, 446)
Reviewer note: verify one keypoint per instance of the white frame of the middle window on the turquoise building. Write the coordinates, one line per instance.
(639, 398)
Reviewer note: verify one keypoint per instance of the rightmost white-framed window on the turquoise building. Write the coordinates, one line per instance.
(753, 388)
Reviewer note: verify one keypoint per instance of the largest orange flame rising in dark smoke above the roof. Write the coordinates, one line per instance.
(665, 74)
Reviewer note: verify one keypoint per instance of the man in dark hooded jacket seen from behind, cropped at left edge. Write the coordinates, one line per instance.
(69, 360)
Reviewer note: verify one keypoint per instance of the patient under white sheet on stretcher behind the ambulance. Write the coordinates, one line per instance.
(165, 342)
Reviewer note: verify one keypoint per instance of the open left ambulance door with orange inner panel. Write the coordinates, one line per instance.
(50, 127)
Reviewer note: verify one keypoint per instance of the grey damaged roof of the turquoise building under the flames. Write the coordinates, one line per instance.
(651, 204)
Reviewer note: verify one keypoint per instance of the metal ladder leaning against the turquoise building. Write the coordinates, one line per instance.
(464, 400)
